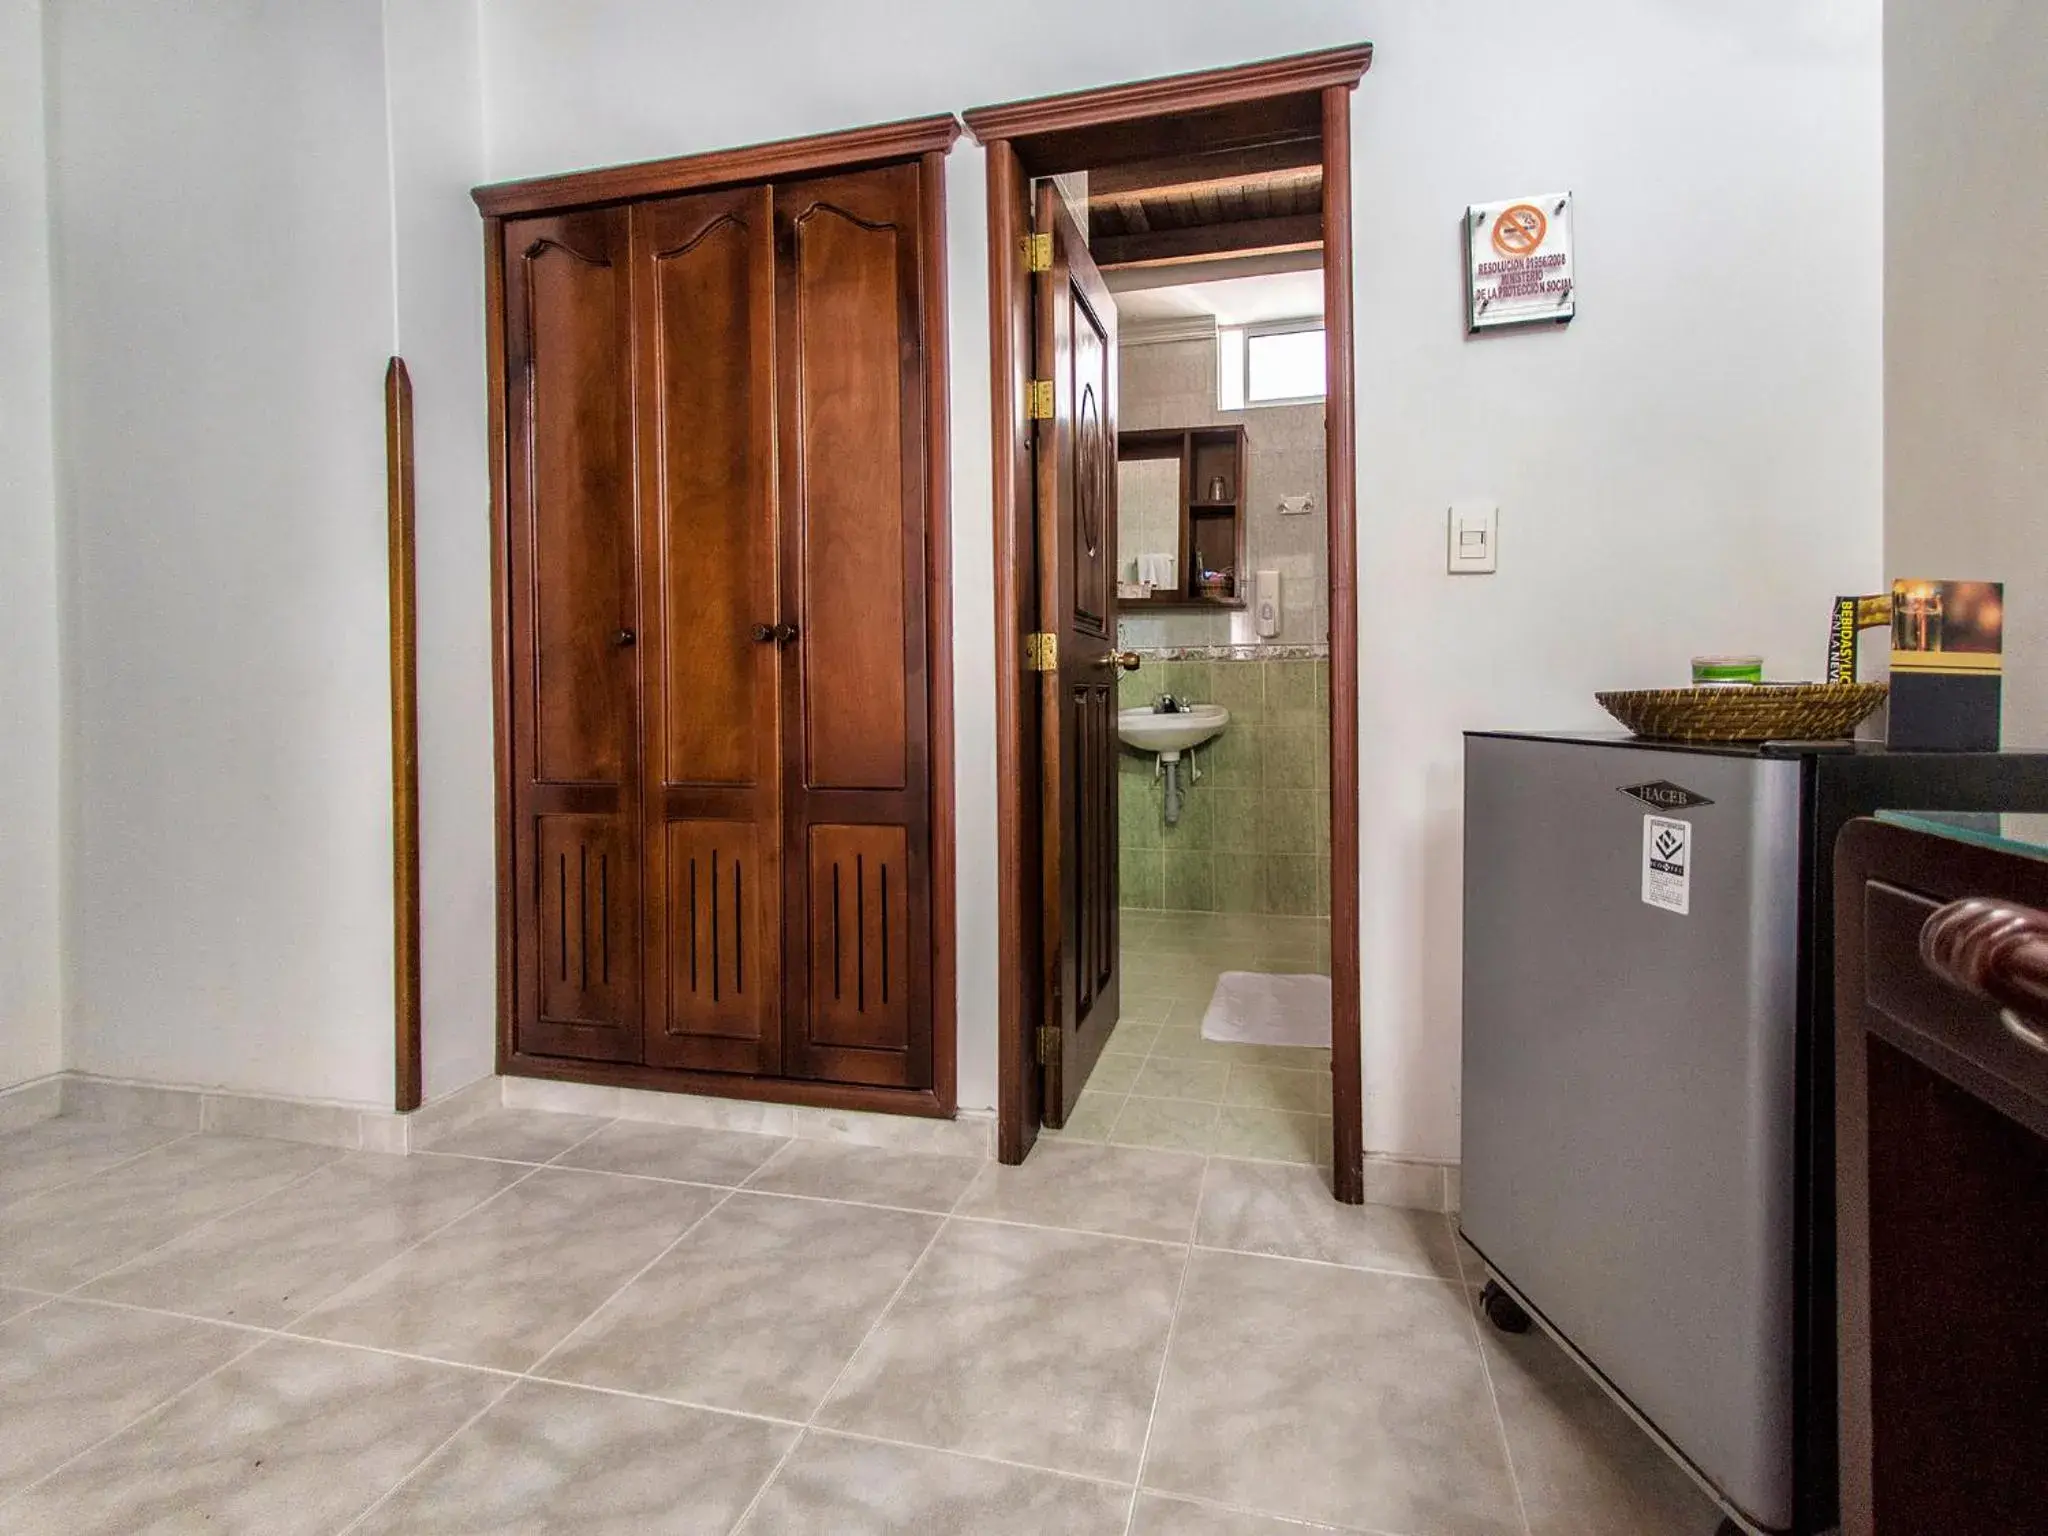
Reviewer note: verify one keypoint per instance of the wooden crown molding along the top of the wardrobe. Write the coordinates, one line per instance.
(755, 163)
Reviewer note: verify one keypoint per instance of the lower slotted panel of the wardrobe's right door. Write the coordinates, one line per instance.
(859, 931)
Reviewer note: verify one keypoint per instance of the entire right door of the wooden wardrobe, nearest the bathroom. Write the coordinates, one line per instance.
(851, 353)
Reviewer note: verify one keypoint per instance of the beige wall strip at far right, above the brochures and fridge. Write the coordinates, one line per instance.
(1965, 316)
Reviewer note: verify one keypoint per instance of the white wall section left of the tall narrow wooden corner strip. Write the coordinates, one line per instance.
(224, 306)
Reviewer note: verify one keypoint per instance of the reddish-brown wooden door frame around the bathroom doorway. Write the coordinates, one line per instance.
(1056, 134)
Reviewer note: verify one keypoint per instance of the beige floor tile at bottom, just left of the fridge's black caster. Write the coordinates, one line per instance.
(1402, 1437)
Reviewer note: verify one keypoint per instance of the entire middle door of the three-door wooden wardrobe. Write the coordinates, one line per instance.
(703, 286)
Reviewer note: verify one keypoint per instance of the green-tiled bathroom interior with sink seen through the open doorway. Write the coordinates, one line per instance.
(1224, 593)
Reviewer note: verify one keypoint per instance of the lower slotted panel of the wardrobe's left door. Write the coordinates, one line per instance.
(587, 941)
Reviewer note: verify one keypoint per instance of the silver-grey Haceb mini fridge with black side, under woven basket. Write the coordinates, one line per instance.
(1648, 1109)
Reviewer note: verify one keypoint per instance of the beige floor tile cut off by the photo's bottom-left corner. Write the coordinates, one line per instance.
(294, 1441)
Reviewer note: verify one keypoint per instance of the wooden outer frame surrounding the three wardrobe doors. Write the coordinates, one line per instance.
(927, 142)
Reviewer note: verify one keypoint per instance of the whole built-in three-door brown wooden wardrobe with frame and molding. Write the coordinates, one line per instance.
(724, 708)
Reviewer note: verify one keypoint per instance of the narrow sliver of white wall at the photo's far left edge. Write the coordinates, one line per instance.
(32, 1021)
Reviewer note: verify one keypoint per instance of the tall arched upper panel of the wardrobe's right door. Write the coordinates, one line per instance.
(853, 499)
